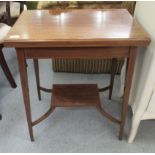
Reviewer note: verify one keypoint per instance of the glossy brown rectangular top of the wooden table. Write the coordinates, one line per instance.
(86, 27)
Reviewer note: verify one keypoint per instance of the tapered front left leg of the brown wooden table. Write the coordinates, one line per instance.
(25, 89)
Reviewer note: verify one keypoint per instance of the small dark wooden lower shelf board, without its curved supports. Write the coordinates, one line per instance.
(71, 95)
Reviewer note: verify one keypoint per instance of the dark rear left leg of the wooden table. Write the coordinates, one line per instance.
(36, 69)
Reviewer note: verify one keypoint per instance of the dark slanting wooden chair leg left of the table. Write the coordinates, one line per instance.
(6, 69)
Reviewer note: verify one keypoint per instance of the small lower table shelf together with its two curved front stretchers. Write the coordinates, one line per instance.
(75, 95)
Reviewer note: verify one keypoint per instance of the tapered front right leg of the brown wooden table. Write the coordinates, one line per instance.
(130, 70)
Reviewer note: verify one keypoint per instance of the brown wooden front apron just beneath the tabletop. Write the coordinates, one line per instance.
(77, 52)
